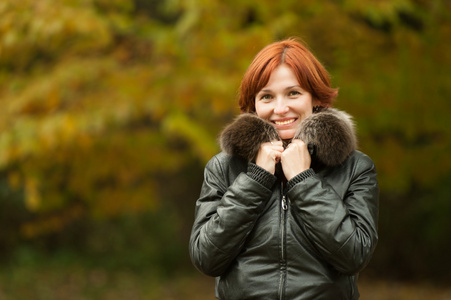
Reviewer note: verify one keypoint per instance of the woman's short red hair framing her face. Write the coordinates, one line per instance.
(310, 73)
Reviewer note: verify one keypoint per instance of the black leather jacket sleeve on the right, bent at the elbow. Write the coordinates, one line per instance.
(344, 231)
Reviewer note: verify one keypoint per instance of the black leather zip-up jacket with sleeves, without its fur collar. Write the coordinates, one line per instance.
(305, 239)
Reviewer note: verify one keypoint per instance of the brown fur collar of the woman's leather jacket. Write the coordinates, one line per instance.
(329, 134)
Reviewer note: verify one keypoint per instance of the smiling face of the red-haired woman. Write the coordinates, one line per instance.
(283, 102)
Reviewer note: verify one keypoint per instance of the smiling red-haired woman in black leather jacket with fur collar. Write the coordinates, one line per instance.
(289, 209)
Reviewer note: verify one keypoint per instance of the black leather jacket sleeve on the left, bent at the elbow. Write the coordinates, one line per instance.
(225, 215)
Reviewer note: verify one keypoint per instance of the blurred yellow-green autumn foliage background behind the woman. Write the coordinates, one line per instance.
(109, 110)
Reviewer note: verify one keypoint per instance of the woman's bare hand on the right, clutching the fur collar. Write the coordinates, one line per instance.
(295, 159)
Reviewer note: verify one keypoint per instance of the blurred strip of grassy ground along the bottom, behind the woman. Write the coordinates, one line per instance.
(79, 283)
